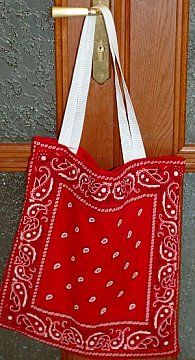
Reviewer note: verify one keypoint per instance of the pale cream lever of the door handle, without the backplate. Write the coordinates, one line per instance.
(58, 11)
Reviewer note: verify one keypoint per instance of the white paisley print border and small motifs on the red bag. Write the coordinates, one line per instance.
(53, 168)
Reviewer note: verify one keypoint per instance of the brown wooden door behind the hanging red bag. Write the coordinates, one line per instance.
(153, 46)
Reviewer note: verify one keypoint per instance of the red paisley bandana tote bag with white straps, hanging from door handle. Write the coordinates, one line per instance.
(94, 267)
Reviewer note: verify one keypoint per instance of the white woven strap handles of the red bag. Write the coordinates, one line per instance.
(131, 141)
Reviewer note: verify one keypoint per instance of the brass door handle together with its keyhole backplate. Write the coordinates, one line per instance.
(101, 46)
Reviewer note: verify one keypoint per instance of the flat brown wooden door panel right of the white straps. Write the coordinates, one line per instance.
(151, 71)
